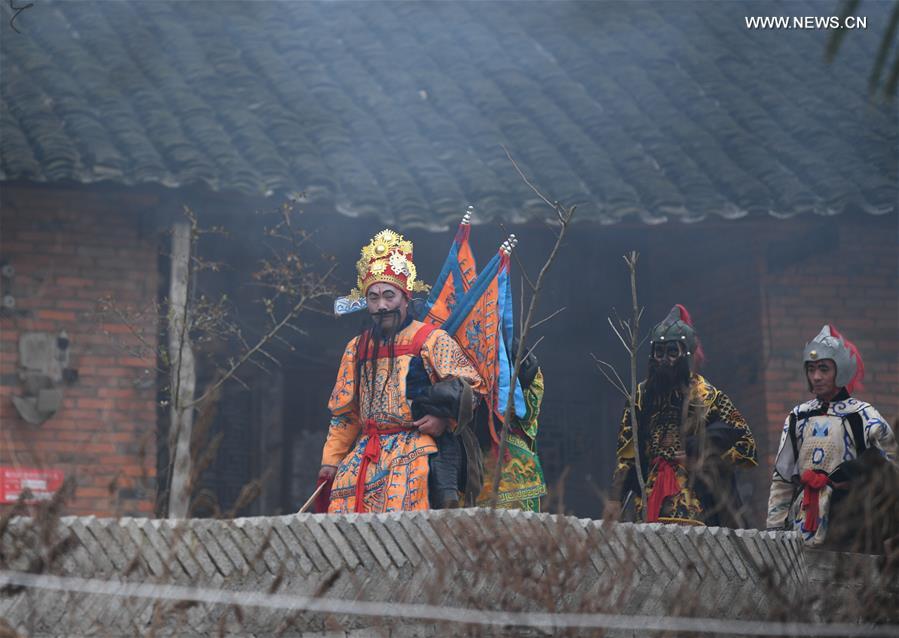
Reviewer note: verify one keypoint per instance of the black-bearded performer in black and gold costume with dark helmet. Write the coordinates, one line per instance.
(690, 437)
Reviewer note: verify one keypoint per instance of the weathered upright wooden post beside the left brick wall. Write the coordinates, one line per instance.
(182, 373)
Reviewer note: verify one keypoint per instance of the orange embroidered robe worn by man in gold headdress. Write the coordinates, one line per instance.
(398, 481)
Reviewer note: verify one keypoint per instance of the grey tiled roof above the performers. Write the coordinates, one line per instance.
(650, 111)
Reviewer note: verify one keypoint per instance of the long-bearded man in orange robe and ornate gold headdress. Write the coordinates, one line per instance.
(376, 454)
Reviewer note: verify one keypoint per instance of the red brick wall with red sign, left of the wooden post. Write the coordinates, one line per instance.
(69, 249)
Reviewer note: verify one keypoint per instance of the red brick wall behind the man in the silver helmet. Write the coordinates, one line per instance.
(852, 285)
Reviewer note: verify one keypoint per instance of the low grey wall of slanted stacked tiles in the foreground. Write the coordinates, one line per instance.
(473, 559)
